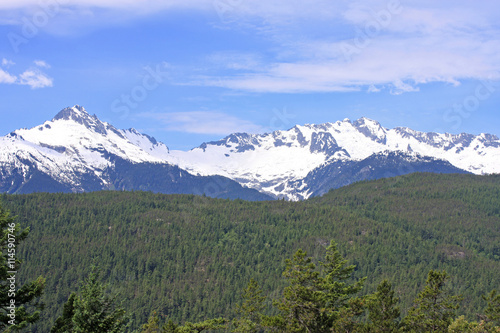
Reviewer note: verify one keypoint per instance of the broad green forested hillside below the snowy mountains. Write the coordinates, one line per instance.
(189, 257)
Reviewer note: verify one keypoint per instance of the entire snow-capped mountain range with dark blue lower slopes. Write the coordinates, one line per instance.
(77, 152)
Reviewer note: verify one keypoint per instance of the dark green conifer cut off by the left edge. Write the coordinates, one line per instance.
(19, 306)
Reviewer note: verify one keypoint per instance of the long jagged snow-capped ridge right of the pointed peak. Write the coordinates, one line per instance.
(283, 163)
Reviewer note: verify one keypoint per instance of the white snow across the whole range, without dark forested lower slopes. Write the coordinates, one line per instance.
(74, 142)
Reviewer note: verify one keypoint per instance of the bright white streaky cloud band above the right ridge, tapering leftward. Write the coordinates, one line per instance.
(404, 64)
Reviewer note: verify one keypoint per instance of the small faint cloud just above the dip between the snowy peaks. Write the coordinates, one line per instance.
(203, 122)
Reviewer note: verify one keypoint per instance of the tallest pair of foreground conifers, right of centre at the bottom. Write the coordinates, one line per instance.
(315, 300)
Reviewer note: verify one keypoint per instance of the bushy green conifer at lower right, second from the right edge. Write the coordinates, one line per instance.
(434, 309)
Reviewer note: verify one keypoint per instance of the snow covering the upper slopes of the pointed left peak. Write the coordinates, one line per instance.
(74, 143)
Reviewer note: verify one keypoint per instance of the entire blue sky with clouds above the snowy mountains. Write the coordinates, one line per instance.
(189, 71)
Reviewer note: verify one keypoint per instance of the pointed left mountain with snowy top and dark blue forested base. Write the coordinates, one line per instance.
(76, 152)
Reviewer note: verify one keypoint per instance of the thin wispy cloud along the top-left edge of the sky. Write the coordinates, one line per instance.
(58, 17)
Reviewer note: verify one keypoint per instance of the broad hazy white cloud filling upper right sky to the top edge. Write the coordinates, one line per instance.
(415, 44)
